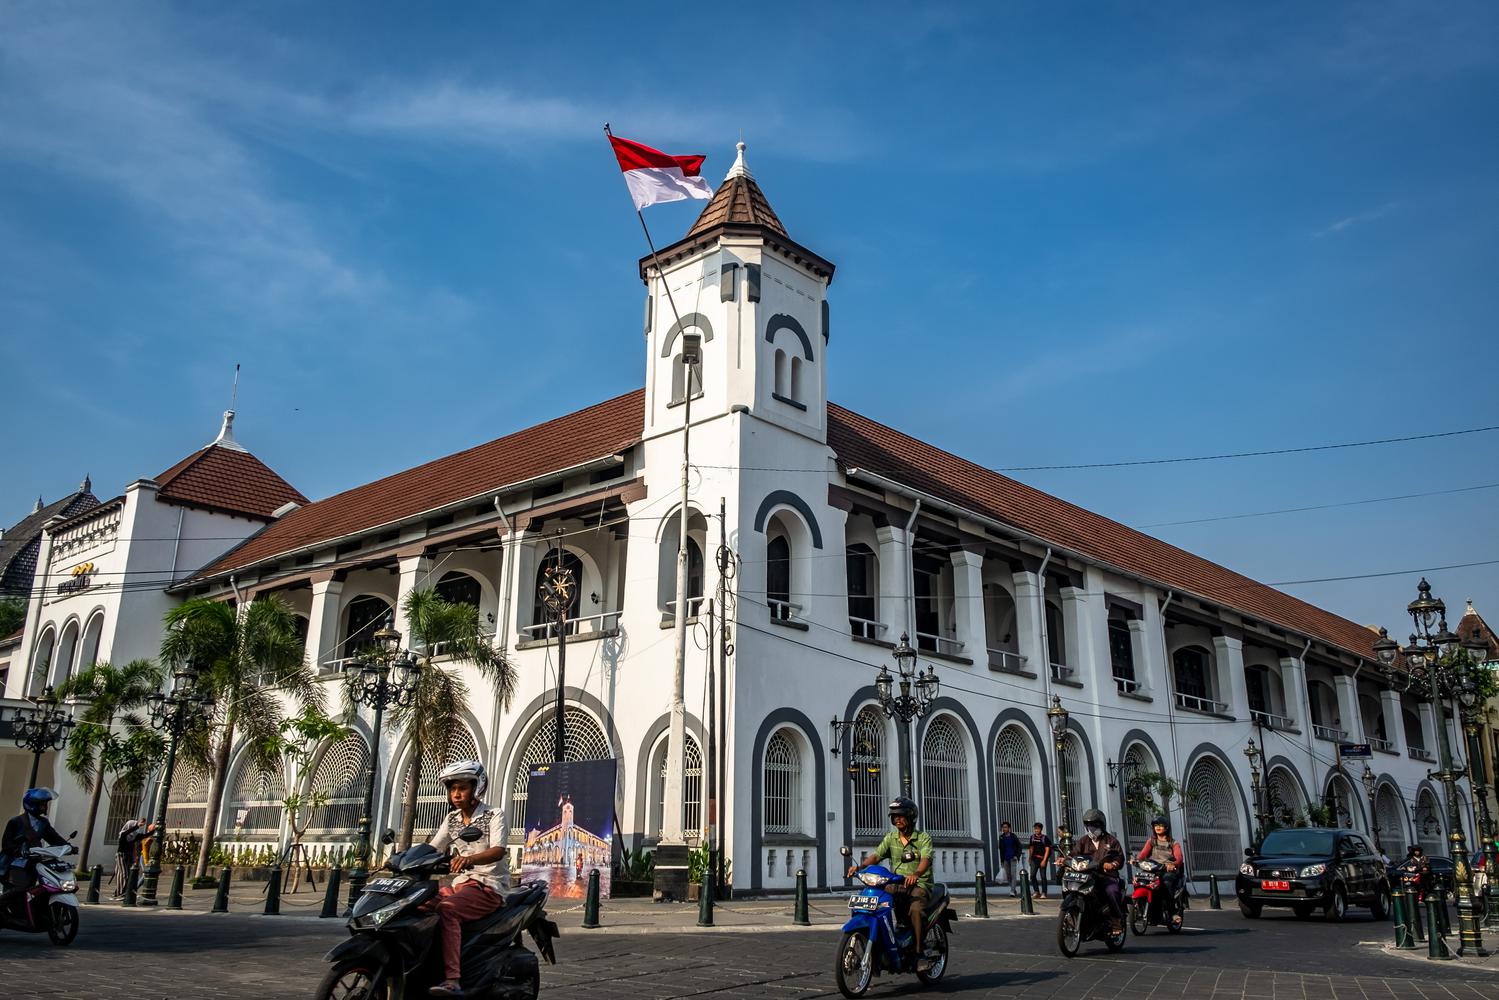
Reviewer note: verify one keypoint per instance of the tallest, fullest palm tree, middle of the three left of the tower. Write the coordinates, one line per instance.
(247, 657)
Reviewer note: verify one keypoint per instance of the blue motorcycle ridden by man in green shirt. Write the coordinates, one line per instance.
(875, 942)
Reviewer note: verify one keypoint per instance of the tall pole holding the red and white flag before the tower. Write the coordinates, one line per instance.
(671, 881)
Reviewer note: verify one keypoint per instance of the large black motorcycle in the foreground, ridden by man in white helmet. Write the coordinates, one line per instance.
(395, 948)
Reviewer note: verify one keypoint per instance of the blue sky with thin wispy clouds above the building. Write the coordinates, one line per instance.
(1065, 235)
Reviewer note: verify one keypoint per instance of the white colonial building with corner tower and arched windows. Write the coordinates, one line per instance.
(845, 534)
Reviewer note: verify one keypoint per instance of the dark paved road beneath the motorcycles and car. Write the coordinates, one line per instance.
(184, 956)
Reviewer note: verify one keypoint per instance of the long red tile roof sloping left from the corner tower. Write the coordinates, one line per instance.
(600, 431)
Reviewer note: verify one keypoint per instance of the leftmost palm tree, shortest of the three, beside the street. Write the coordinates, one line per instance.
(107, 692)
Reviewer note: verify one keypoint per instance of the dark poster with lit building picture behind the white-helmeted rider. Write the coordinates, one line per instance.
(570, 827)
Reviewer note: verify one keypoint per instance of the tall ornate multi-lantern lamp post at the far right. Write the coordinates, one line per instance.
(1434, 669)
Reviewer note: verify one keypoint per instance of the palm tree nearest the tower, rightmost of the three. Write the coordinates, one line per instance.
(435, 713)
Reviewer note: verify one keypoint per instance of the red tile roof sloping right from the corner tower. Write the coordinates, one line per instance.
(866, 445)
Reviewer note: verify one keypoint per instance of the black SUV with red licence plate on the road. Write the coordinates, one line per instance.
(1311, 869)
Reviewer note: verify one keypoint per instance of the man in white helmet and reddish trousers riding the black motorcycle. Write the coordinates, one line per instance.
(482, 867)
